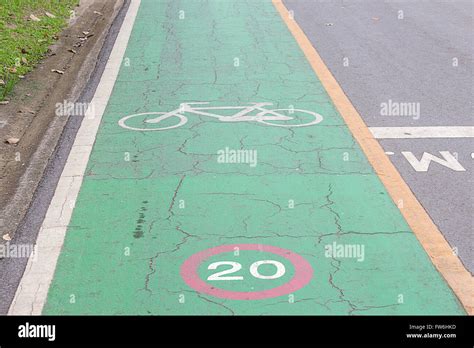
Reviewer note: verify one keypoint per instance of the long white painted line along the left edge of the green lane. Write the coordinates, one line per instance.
(32, 291)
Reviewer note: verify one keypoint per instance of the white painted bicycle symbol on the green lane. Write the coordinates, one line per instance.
(255, 112)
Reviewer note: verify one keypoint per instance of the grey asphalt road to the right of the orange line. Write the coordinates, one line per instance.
(409, 64)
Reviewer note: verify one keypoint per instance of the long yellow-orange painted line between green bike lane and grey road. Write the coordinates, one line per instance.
(438, 249)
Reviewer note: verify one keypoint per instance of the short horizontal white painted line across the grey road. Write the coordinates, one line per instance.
(421, 132)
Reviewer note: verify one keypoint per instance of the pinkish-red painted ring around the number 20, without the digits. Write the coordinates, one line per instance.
(302, 276)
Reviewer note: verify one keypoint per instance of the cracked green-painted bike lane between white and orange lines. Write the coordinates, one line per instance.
(163, 225)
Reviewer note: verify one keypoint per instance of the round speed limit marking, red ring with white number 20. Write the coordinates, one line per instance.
(303, 272)
